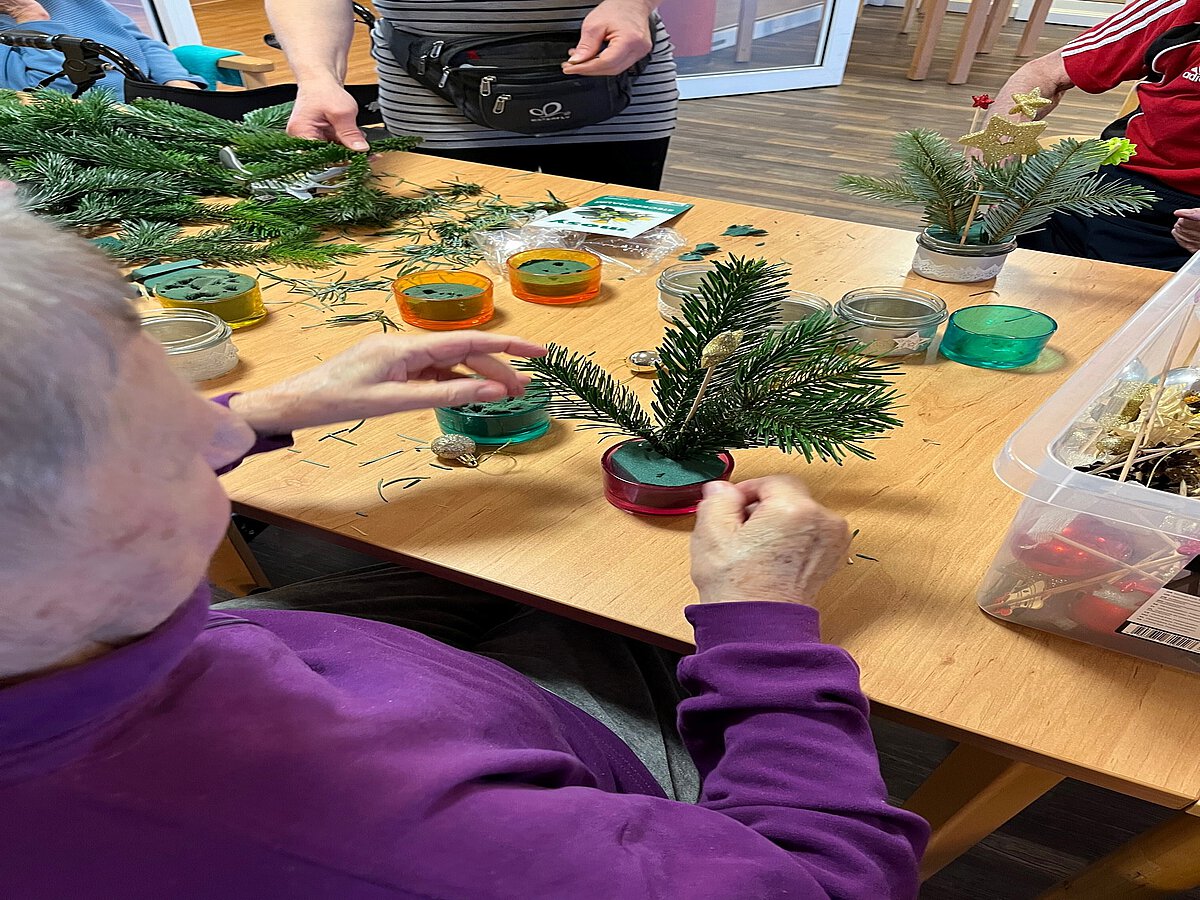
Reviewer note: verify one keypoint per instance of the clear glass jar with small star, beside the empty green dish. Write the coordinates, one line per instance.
(892, 322)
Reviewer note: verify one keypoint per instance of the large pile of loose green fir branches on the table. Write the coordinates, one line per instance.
(151, 167)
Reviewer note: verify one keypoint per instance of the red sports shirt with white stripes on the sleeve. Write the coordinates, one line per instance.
(1156, 41)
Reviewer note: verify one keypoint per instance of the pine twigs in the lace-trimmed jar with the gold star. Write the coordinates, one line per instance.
(1016, 196)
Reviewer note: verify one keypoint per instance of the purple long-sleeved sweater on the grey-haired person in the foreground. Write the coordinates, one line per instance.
(293, 755)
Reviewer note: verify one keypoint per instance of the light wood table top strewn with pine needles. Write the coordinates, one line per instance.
(536, 526)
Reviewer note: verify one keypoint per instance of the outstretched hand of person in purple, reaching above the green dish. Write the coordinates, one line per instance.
(389, 374)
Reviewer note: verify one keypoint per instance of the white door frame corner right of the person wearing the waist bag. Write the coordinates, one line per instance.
(833, 49)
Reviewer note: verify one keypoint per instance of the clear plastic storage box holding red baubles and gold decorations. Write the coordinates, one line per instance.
(1088, 557)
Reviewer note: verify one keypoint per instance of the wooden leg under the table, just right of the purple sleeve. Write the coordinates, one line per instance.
(970, 796)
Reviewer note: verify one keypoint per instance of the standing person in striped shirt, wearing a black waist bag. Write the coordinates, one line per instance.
(628, 149)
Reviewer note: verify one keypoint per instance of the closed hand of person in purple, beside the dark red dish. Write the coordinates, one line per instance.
(765, 539)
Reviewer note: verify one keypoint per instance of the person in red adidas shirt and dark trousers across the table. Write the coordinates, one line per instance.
(1156, 43)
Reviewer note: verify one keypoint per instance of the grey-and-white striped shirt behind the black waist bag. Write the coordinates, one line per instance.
(411, 109)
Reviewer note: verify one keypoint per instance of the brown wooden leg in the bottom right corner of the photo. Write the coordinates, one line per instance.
(1163, 861)
